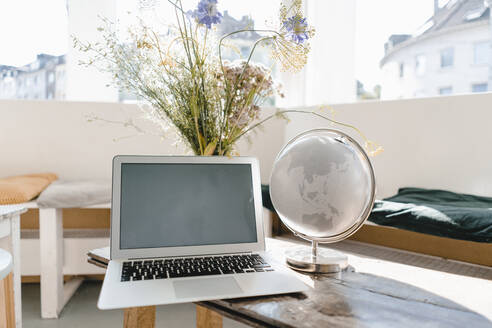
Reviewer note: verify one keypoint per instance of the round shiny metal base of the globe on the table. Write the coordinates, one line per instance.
(303, 258)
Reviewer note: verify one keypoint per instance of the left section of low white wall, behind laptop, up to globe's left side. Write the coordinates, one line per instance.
(55, 136)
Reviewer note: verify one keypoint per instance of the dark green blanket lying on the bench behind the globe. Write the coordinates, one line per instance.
(437, 212)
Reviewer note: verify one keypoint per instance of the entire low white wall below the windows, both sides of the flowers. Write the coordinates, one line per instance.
(442, 142)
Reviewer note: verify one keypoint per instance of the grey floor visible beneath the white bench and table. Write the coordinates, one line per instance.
(81, 311)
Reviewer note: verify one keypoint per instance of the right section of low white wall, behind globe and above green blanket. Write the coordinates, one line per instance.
(441, 142)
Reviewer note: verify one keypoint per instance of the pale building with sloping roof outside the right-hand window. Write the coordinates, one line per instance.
(455, 38)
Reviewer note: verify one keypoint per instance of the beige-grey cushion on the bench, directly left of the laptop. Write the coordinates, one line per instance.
(74, 194)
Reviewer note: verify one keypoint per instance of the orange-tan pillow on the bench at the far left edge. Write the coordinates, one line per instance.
(23, 188)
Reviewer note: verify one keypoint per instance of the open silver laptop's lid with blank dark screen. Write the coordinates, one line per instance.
(185, 205)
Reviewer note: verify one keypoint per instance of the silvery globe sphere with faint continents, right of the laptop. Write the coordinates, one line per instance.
(322, 186)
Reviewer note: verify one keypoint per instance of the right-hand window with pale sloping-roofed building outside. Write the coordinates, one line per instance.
(427, 42)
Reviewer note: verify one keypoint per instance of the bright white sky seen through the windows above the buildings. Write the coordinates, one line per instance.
(29, 27)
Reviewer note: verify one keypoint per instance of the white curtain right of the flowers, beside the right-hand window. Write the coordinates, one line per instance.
(329, 76)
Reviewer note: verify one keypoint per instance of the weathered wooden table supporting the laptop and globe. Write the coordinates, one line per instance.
(371, 293)
